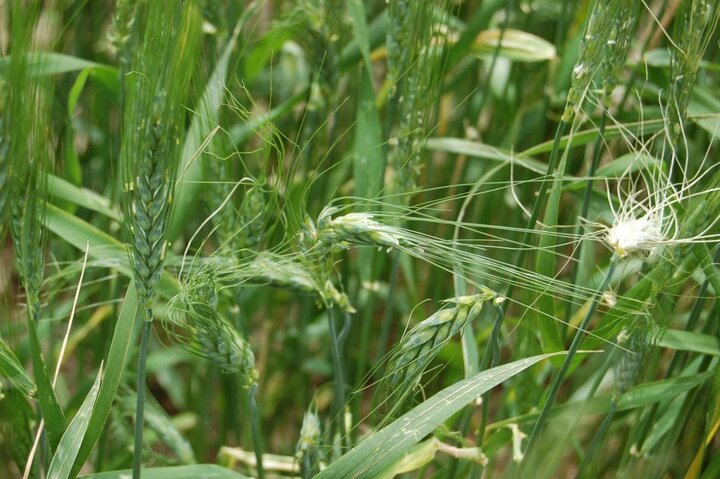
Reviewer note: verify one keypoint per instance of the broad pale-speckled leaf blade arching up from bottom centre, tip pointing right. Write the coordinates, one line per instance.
(383, 448)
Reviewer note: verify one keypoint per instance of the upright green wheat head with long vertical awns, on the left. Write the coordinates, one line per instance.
(153, 124)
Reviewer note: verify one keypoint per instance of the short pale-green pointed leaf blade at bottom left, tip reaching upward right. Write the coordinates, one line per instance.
(67, 450)
